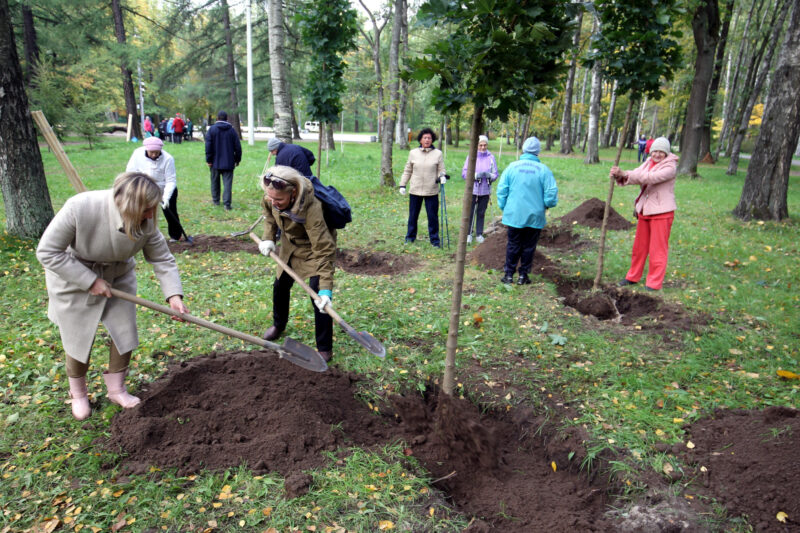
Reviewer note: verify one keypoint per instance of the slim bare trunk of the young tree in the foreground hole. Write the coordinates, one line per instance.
(448, 380)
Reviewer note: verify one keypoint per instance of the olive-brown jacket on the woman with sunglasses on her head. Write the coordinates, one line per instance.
(307, 245)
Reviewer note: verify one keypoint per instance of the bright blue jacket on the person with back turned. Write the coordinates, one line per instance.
(527, 188)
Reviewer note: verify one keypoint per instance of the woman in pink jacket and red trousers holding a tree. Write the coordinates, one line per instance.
(654, 209)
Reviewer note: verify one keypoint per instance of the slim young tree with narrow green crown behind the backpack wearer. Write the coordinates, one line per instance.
(329, 29)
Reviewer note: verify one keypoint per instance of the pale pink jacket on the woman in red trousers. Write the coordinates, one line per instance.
(658, 186)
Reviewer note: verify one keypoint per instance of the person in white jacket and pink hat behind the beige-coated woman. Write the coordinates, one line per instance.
(153, 160)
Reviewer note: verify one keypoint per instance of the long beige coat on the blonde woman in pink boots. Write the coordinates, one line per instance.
(83, 242)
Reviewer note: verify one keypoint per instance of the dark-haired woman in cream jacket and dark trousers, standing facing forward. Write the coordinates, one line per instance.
(423, 173)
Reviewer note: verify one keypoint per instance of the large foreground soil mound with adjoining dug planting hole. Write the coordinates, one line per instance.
(222, 410)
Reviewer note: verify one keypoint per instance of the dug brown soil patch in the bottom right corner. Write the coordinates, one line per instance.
(750, 462)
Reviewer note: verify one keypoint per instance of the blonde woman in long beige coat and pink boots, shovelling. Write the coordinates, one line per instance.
(87, 249)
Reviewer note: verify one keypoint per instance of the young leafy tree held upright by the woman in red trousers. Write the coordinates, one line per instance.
(637, 47)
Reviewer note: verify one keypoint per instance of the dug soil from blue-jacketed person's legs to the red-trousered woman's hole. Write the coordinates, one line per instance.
(611, 303)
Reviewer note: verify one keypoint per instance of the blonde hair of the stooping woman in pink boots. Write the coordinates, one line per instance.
(135, 193)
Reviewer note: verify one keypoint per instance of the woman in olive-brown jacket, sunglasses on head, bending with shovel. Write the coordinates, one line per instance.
(307, 245)
